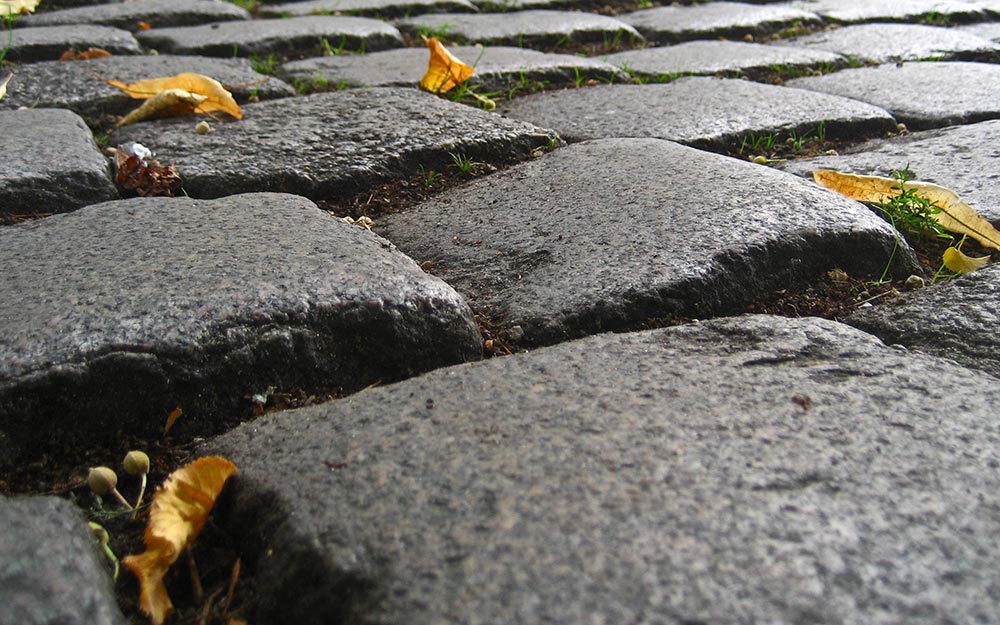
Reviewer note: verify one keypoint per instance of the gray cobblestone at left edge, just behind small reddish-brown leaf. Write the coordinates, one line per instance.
(47, 43)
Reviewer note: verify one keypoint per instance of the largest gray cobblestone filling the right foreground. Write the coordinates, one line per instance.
(748, 470)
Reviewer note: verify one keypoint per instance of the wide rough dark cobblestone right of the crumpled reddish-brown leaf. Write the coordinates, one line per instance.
(333, 144)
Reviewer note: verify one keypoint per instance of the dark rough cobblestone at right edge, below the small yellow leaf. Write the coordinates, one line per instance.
(956, 319)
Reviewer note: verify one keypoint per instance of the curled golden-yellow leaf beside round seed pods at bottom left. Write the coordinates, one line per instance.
(179, 511)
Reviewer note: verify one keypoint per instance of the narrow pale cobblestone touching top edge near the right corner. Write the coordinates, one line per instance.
(894, 10)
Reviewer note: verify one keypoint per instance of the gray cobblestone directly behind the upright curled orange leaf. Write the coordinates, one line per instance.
(497, 67)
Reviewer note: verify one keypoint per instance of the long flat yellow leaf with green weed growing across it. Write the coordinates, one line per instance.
(955, 215)
